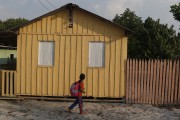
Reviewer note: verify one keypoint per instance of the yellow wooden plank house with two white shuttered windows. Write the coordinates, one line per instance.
(55, 48)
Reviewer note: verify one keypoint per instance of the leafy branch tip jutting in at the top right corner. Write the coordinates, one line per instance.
(175, 9)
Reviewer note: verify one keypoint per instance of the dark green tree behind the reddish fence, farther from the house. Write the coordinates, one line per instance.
(161, 40)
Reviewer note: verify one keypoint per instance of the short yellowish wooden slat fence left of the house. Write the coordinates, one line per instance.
(7, 83)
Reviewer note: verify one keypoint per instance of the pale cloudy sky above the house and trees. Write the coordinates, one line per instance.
(30, 9)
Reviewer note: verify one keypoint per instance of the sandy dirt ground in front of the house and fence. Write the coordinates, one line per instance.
(57, 110)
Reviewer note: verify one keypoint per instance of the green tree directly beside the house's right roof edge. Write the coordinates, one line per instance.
(133, 22)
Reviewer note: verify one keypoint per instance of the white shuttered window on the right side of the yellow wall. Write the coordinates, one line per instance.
(96, 54)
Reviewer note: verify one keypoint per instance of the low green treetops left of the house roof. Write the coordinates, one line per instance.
(11, 23)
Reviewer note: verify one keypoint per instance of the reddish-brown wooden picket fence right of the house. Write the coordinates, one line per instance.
(153, 81)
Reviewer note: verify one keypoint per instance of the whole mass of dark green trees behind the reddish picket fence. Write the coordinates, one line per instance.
(149, 39)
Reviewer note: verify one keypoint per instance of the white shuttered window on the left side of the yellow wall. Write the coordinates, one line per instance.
(46, 53)
